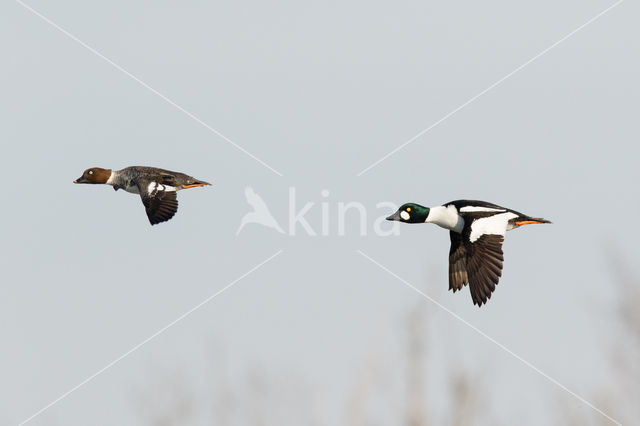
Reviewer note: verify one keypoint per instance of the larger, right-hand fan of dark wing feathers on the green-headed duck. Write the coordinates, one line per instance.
(484, 265)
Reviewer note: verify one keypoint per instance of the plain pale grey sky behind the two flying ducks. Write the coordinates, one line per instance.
(319, 91)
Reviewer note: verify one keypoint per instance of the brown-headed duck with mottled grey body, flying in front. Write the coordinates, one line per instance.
(157, 187)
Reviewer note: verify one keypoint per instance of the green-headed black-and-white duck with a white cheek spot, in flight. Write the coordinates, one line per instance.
(476, 229)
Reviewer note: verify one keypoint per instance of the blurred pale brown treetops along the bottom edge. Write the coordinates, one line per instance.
(264, 400)
